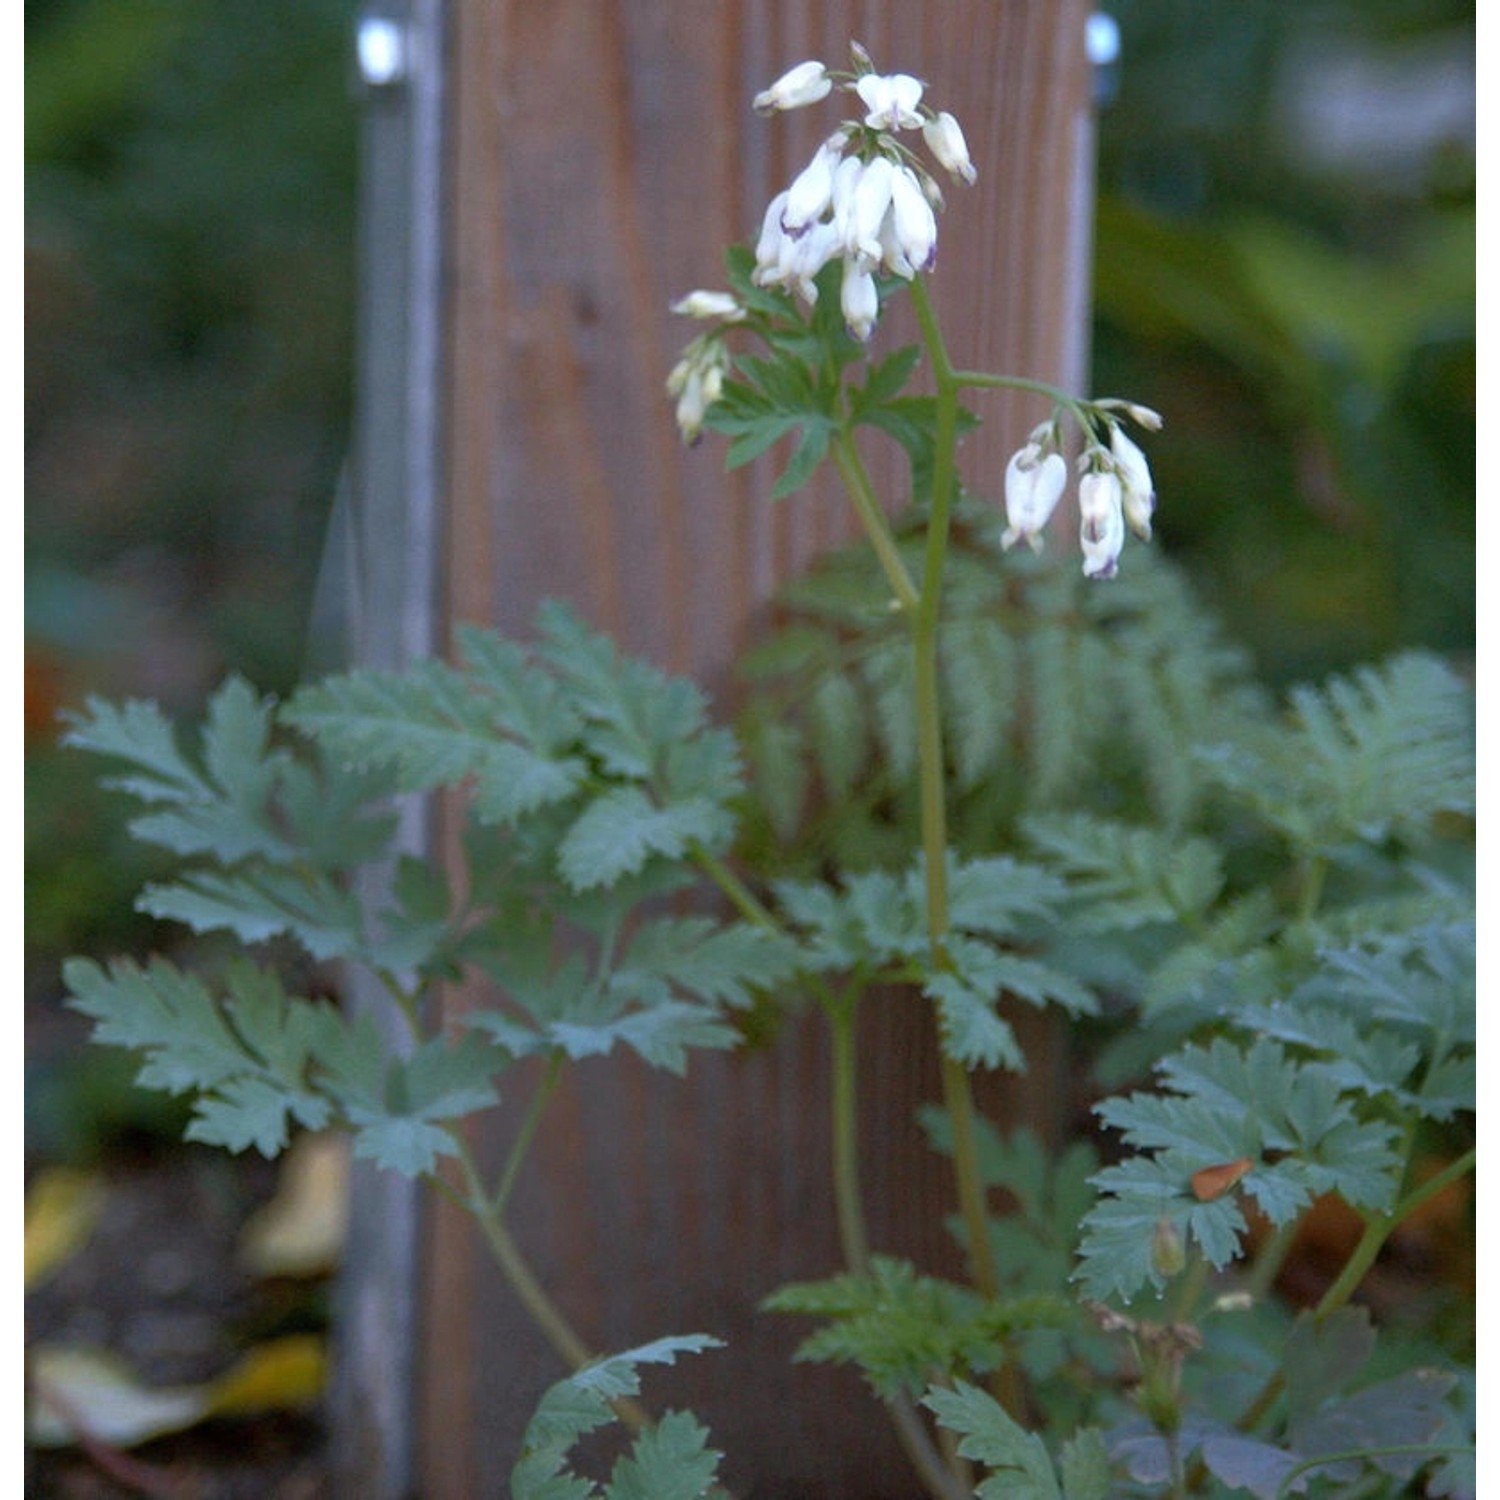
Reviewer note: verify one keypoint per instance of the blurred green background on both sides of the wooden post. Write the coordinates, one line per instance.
(1285, 268)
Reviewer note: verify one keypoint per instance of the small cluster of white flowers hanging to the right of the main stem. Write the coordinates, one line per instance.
(1115, 487)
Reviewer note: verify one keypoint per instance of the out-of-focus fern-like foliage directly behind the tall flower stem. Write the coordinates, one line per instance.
(1057, 697)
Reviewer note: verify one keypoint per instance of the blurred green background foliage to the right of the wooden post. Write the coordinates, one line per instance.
(1286, 269)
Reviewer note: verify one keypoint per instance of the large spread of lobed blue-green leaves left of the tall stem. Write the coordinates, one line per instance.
(592, 782)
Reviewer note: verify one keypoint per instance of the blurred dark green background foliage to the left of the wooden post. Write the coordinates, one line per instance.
(190, 242)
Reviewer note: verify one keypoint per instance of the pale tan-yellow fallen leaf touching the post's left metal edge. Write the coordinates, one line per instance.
(301, 1232)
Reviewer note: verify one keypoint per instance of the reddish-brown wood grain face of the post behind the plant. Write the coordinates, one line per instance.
(604, 155)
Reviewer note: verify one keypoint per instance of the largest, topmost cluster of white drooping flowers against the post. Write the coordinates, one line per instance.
(863, 199)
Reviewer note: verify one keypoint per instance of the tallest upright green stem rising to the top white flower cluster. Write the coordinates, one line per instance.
(958, 1093)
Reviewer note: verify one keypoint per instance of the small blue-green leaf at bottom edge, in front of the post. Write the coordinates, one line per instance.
(667, 1462)
